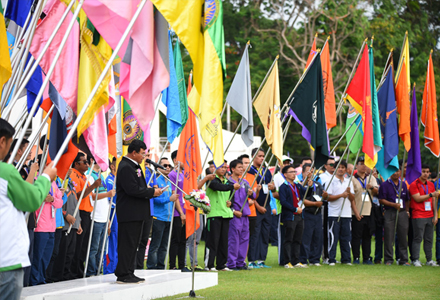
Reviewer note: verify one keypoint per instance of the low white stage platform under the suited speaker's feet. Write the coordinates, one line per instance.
(158, 283)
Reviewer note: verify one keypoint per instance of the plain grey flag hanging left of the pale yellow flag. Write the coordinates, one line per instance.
(240, 98)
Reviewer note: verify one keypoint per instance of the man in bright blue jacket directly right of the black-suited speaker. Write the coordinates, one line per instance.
(163, 211)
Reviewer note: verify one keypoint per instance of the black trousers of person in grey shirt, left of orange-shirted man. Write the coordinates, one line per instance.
(62, 269)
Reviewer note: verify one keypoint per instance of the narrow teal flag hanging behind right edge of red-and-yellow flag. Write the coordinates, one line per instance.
(377, 137)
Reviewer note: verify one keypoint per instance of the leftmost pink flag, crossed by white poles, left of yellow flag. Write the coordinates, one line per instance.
(65, 75)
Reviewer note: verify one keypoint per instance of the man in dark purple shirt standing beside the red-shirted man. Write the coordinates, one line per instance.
(389, 198)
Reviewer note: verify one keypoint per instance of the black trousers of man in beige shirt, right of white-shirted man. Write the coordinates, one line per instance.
(360, 230)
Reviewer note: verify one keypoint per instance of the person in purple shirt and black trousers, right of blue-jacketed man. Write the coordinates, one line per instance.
(178, 235)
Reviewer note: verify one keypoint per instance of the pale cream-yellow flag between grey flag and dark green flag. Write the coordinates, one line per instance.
(267, 106)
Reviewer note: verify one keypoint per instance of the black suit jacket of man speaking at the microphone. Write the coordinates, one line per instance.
(132, 194)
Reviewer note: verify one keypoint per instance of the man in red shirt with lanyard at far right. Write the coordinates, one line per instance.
(424, 216)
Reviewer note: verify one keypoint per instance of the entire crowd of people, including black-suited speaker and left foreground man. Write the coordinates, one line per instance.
(303, 212)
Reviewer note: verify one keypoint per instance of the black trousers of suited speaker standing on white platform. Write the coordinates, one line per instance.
(129, 234)
